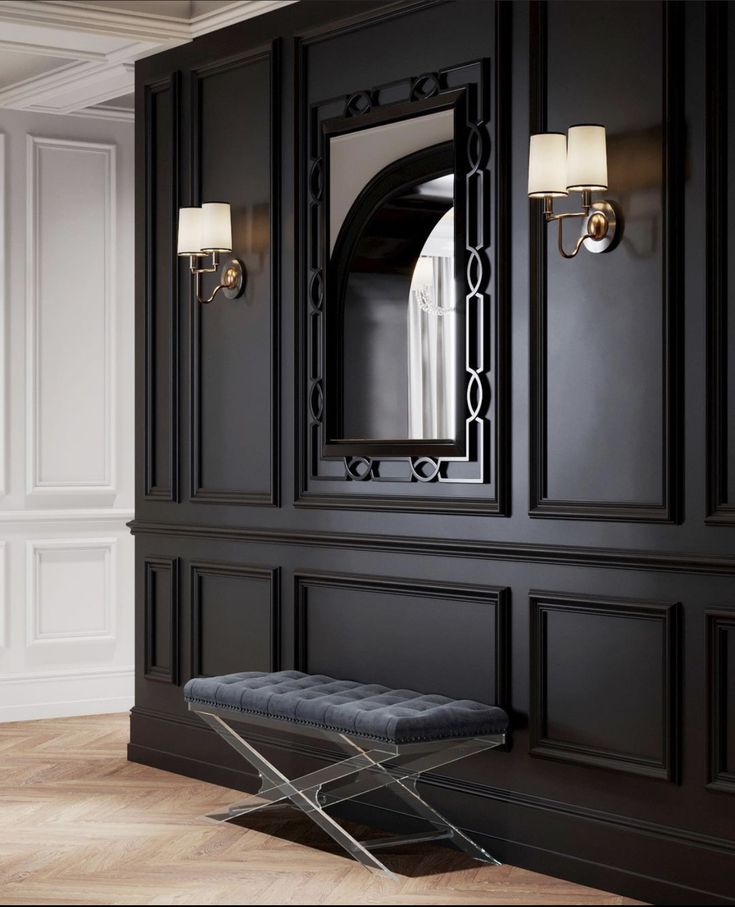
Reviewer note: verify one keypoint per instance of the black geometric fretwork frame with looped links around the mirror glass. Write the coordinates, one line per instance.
(408, 483)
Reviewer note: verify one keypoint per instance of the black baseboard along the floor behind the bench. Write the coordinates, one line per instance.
(642, 863)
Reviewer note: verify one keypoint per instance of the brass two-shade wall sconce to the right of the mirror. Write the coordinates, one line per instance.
(558, 165)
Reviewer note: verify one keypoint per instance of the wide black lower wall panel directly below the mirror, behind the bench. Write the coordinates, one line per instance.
(404, 634)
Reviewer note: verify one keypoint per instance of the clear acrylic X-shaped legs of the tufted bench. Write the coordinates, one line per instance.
(369, 767)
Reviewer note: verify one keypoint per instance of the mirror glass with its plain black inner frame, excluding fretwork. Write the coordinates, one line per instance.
(394, 260)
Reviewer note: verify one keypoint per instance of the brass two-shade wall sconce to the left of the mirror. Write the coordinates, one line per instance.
(208, 231)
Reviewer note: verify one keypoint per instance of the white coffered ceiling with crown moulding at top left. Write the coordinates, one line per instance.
(77, 56)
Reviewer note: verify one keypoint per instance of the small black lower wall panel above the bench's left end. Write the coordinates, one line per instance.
(235, 624)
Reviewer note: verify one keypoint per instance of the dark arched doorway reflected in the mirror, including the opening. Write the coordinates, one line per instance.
(372, 273)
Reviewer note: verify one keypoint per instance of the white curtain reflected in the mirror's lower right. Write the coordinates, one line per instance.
(432, 327)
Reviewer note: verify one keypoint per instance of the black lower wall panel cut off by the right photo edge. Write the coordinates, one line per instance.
(719, 624)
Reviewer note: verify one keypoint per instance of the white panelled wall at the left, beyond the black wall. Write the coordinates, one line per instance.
(66, 416)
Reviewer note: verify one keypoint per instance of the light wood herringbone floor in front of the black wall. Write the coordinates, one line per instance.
(81, 825)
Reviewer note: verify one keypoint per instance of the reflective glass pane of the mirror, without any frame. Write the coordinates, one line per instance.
(392, 288)
